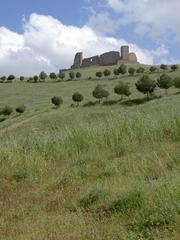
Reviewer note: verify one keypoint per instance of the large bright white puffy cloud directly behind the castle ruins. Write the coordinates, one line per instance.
(47, 44)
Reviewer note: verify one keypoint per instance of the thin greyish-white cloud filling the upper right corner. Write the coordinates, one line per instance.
(156, 17)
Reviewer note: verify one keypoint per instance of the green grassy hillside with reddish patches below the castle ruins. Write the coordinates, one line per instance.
(99, 172)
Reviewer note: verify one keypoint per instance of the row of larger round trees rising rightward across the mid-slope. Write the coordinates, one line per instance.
(144, 85)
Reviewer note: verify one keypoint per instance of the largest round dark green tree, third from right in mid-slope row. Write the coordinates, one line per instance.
(145, 85)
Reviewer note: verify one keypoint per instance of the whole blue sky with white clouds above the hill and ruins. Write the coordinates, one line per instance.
(38, 35)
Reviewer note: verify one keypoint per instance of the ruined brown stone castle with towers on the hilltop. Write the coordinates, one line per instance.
(106, 59)
